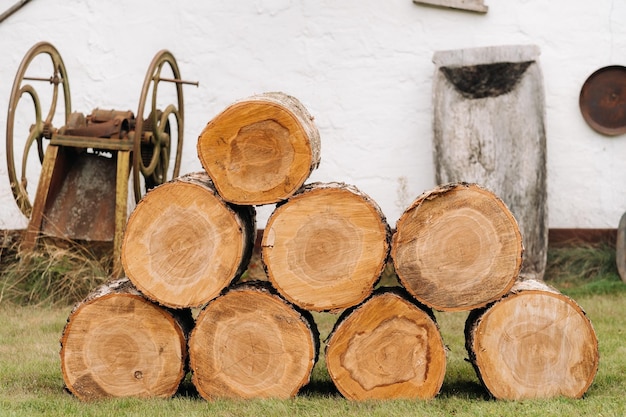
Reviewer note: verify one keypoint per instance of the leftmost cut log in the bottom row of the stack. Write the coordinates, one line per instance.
(116, 343)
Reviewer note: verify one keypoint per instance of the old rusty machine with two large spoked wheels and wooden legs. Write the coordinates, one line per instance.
(85, 163)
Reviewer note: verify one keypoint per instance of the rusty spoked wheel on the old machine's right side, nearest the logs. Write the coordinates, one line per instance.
(158, 142)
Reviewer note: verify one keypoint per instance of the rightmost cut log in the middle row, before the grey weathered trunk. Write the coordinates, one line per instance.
(457, 247)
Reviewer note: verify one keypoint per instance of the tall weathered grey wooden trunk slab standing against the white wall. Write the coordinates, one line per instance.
(489, 129)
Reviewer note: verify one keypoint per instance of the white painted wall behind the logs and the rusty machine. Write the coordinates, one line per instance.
(363, 68)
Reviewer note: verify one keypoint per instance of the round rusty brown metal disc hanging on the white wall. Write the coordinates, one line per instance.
(603, 100)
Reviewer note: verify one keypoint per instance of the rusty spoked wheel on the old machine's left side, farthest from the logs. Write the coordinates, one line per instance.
(20, 171)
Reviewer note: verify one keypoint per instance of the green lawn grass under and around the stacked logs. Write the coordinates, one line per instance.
(31, 383)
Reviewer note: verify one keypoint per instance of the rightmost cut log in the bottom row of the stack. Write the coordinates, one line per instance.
(533, 343)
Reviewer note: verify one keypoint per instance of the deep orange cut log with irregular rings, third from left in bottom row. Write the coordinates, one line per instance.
(386, 348)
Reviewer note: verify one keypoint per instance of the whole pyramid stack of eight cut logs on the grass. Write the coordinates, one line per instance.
(324, 248)
